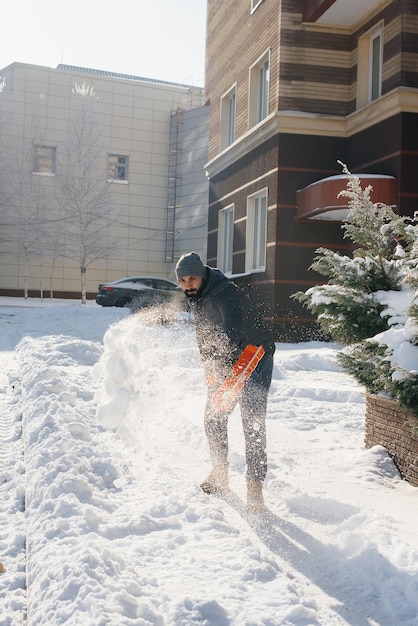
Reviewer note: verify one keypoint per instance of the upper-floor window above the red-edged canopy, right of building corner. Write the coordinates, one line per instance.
(369, 66)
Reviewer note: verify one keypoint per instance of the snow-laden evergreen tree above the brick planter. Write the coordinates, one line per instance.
(370, 302)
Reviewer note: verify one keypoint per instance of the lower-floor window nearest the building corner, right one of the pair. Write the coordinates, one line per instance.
(256, 232)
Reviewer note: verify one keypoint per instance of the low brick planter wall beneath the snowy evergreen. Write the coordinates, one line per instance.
(390, 426)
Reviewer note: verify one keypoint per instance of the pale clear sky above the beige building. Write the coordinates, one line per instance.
(162, 39)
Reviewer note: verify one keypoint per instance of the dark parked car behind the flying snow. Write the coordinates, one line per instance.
(137, 292)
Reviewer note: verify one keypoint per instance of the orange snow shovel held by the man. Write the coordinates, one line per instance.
(246, 363)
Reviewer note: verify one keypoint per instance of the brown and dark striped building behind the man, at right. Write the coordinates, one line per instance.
(294, 87)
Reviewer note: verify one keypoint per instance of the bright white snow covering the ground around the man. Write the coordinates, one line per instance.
(102, 521)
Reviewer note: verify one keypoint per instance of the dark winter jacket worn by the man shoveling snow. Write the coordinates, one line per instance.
(226, 321)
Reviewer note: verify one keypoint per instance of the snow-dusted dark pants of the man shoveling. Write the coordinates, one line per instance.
(253, 405)
